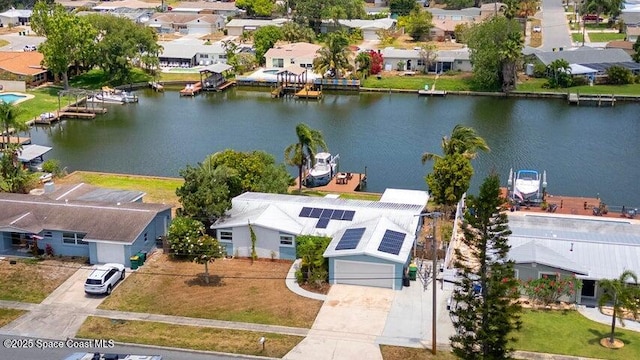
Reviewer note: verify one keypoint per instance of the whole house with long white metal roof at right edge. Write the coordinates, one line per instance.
(590, 248)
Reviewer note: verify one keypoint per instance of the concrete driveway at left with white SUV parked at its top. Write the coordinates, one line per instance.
(61, 314)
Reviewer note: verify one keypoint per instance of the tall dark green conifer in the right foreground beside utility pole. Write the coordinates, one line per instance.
(485, 310)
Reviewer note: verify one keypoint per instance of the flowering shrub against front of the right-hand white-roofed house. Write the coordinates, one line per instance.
(548, 290)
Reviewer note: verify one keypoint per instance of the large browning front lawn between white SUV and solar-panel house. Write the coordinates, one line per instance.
(239, 292)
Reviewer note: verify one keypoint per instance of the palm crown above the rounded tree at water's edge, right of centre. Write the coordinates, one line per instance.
(464, 141)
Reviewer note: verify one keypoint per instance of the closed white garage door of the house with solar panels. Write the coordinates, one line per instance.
(363, 273)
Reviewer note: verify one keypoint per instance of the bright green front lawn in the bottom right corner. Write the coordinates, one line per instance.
(569, 333)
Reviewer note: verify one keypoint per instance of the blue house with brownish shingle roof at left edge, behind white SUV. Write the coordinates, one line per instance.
(91, 227)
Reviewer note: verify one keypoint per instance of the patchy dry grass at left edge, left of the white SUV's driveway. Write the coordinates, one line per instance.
(32, 281)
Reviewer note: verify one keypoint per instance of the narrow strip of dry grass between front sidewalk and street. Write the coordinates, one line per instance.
(188, 337)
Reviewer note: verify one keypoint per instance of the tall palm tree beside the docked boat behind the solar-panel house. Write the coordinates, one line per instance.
(309, 140)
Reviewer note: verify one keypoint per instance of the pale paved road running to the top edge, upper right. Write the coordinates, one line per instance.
(555, 30)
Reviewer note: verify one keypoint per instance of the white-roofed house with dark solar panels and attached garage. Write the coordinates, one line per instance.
(372, 241)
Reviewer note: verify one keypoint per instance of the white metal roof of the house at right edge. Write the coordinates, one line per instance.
(604, 247)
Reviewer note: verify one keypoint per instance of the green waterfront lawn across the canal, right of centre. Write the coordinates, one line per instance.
(444, 82)
